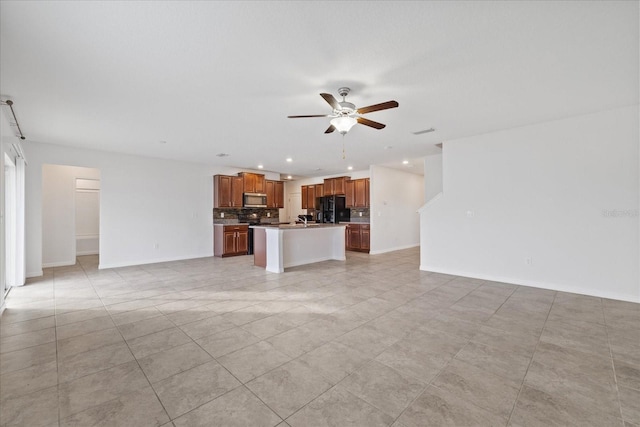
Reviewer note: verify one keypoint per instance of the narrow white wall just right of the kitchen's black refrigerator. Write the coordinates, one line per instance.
(396, 197)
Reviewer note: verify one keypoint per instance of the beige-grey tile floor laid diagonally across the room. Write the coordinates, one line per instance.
(370, 342)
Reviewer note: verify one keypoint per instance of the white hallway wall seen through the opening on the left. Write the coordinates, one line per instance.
(58, 212)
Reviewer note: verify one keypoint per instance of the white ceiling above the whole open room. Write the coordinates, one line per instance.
(221, 77)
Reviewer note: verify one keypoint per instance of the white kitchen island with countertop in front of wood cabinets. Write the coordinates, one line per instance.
(283, 246)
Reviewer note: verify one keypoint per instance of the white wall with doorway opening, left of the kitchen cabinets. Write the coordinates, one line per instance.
(143, 202)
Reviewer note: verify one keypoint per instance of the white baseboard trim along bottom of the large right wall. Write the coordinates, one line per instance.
(535, 284)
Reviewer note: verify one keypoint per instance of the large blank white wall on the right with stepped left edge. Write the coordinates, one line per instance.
(542, 193)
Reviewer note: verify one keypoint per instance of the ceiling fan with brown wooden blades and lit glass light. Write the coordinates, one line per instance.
(345, 114)
